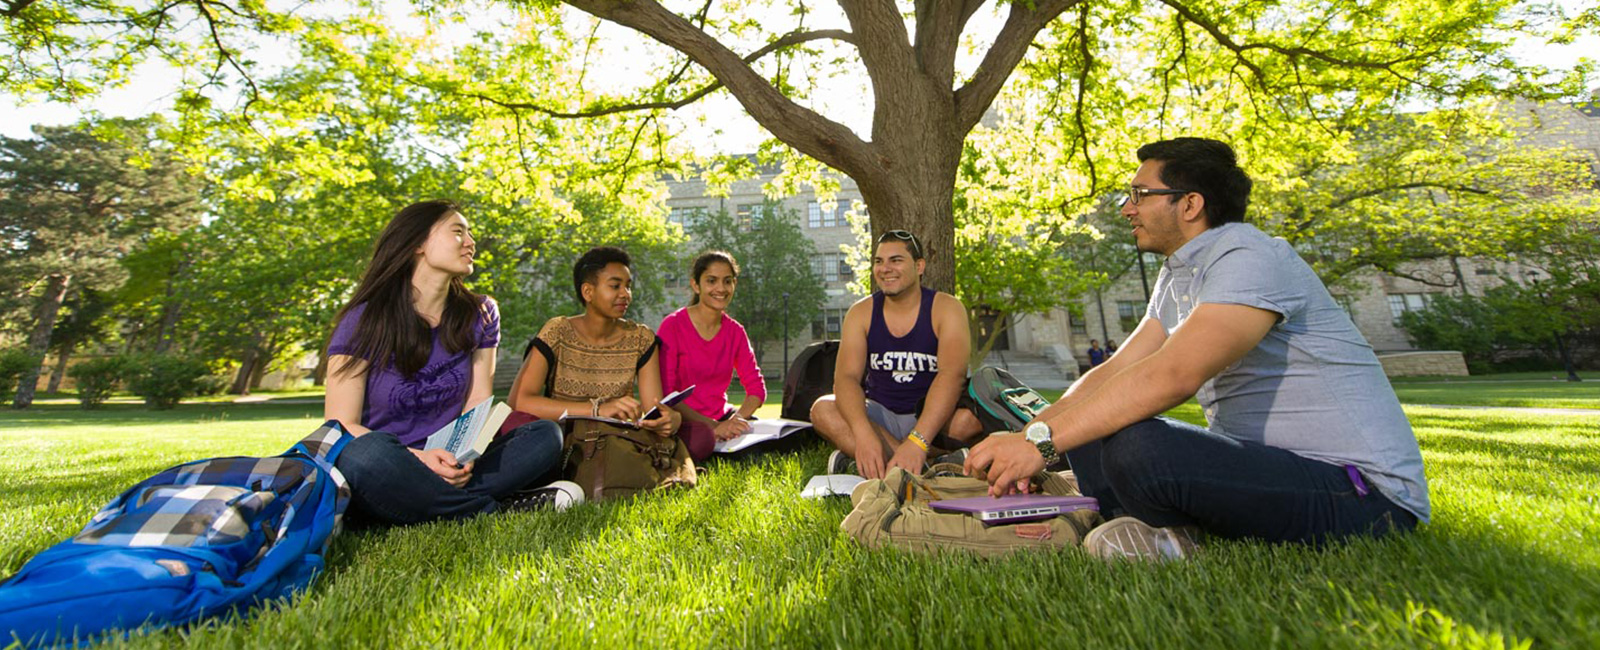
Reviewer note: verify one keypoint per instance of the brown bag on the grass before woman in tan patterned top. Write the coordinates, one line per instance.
(612, 462)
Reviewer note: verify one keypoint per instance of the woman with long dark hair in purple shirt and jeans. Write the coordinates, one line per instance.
(410, 353)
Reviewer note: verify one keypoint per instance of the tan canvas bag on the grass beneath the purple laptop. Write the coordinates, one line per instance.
(895, 512)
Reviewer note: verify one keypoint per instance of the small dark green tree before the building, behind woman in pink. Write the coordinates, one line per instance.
(777, 279)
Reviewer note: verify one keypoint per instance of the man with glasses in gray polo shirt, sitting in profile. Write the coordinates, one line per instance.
(1306, 438)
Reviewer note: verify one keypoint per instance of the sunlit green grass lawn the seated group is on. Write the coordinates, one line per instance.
(1513, 558)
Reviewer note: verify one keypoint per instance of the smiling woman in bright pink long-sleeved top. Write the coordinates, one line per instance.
(703, 347)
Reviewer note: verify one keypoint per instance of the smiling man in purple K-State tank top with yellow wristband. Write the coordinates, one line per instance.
(902, 369)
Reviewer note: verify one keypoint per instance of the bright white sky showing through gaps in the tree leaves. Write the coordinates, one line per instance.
(714, 126)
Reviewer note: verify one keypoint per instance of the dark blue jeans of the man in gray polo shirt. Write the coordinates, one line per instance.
(1170, 473)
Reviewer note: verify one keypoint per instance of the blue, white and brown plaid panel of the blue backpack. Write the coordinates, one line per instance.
(214, 502)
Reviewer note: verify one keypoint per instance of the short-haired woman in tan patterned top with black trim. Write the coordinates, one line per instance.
(593, 363)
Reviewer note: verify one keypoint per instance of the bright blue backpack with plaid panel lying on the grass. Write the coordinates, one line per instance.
(198, 540)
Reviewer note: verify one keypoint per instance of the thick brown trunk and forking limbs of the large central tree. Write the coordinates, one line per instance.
(921, 113)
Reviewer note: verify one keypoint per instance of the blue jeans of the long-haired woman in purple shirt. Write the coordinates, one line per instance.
(391, 486)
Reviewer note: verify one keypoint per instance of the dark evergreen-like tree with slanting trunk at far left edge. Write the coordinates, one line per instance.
(78, 199)
